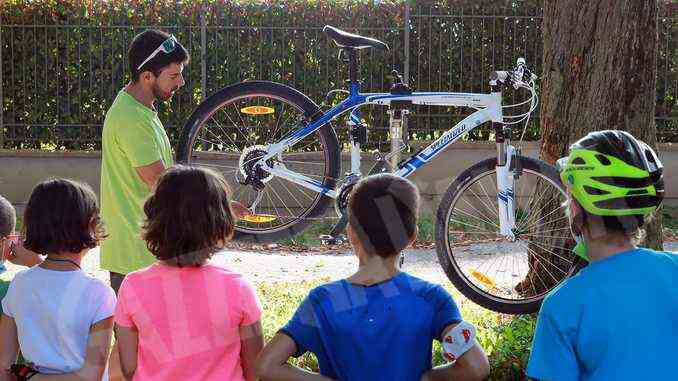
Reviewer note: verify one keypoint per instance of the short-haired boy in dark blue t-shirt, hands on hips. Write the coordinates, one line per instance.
(379, 323)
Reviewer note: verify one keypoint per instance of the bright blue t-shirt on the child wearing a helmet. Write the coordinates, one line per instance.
(615, 320)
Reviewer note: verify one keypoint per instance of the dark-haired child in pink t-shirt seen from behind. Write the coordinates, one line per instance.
(183, 318)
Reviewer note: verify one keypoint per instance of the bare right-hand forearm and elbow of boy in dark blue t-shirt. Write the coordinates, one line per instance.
(471, 366)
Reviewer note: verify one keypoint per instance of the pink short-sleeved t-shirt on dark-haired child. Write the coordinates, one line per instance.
(188, 321)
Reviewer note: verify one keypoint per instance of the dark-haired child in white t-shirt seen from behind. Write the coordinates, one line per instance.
(60, 318)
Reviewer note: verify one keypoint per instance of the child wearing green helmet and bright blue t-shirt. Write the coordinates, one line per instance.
(616, 319)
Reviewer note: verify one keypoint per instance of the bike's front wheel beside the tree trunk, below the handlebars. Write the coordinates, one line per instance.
(504, 275)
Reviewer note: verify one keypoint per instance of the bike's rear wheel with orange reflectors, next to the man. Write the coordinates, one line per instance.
(232, 129)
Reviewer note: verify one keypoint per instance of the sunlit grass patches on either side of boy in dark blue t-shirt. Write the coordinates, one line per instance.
(506, 339)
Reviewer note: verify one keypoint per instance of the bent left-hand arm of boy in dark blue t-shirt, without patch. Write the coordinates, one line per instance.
(272, 363)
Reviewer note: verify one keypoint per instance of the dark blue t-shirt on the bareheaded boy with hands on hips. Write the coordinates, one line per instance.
(379, 332)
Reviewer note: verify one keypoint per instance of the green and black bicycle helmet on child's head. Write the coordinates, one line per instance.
(611, 173)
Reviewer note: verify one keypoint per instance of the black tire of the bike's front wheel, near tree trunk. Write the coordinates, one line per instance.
(446, 255)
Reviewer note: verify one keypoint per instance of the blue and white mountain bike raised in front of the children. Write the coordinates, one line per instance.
(280, 152)
